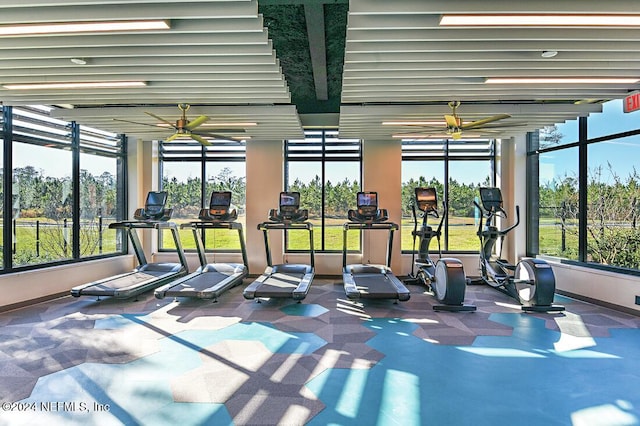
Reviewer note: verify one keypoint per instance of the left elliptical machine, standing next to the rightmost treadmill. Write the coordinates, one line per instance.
(444, 278)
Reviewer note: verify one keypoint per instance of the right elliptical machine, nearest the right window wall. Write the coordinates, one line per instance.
(531, 281)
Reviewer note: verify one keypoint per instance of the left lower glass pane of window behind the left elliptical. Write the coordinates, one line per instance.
(419, 174)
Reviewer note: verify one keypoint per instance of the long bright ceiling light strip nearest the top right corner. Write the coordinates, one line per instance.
(543, 20)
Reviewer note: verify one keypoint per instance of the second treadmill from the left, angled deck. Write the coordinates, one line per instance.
(211, 279)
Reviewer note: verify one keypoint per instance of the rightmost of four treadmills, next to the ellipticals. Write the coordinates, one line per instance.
(366, 281)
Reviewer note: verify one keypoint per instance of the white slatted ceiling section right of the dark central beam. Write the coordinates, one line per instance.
(401, 65)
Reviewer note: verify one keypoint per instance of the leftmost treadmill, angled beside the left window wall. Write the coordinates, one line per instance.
(146, 276)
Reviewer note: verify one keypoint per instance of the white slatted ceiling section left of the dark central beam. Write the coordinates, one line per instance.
(216, 56)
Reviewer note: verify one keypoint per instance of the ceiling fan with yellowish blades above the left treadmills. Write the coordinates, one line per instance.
(185, 128)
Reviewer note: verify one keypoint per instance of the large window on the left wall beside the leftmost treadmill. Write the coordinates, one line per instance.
(66, 186)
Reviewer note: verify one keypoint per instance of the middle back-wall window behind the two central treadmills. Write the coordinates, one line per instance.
(326, 171)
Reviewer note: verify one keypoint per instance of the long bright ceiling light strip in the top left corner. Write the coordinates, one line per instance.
(76, 27)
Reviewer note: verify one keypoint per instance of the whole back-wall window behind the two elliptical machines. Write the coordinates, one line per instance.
(456, 169)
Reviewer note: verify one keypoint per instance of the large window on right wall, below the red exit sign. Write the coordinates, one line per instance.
(588, 192)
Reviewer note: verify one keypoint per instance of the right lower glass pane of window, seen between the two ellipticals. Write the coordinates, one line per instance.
(465, 177)
